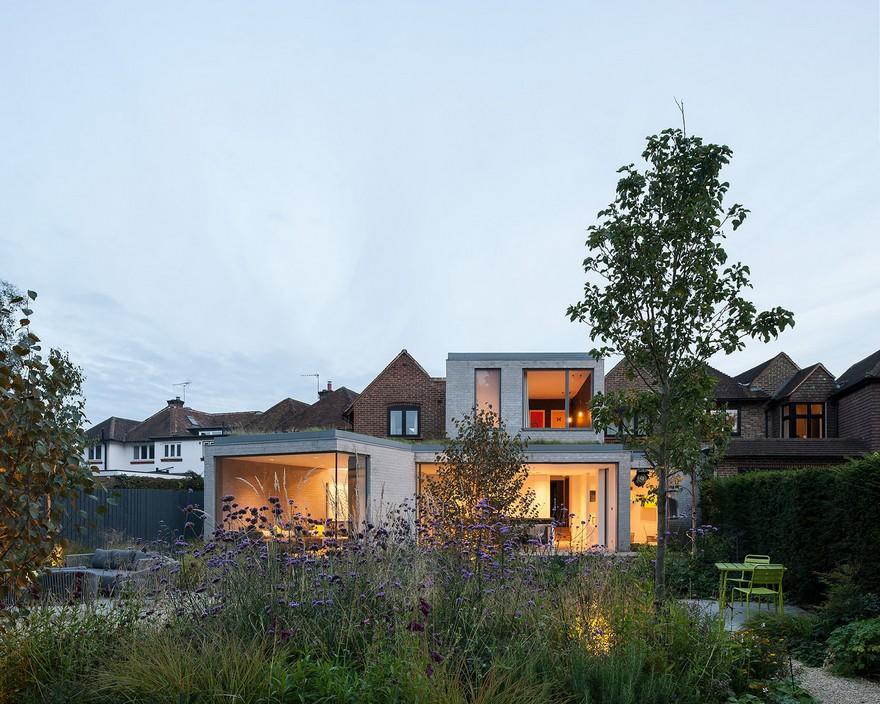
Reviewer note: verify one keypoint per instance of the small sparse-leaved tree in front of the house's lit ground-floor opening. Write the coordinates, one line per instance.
(481, 470)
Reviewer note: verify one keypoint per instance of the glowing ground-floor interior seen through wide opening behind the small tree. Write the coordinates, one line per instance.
(571, 496)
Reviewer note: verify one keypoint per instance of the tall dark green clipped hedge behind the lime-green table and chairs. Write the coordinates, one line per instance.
(811, 520)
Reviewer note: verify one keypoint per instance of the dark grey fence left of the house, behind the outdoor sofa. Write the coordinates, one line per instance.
(133, 515)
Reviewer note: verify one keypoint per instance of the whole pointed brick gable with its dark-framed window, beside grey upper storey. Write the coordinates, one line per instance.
(403, 401)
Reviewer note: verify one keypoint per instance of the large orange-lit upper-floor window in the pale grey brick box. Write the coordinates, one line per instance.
(558, 398)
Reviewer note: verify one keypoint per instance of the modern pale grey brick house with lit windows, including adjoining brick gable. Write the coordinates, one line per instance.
(579, 480)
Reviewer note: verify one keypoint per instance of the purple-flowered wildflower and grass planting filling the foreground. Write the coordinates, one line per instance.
(397, 611)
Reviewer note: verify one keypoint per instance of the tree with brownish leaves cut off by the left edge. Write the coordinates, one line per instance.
(41, 441)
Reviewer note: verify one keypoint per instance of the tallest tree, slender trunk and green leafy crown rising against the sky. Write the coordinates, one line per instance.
(661, 293)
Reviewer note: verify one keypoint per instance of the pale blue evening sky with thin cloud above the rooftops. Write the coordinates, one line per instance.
(237, 194)
